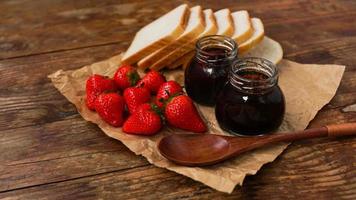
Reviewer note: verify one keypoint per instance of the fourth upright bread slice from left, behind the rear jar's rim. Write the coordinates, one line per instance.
(224, 22)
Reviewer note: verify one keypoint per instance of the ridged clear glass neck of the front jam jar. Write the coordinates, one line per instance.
(253, 75)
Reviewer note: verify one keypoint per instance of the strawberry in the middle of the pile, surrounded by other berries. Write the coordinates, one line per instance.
(135, 96)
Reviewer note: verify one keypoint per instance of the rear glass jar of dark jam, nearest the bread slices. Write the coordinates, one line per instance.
(207, 73)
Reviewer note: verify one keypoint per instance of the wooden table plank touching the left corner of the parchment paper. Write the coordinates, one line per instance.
(29, 97)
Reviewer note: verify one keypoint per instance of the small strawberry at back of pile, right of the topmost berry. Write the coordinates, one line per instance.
(152, 80)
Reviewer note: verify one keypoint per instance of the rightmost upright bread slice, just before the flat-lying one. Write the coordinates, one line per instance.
(257, 36)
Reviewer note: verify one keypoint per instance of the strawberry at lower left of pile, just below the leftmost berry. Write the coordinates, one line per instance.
(110, 107)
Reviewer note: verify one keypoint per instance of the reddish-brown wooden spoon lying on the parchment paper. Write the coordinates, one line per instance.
(208, 149)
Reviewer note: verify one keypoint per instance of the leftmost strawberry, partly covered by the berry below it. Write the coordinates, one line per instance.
(97, 84)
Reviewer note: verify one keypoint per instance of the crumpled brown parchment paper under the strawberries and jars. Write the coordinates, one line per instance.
(307, 88)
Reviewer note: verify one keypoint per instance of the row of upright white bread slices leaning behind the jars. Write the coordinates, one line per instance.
(170, 40)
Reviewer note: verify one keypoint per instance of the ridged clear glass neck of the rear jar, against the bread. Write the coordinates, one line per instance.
(216, 49)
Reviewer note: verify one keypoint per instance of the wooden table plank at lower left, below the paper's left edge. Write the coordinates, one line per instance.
(59, 151)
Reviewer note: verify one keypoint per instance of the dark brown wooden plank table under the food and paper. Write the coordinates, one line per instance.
(47, 151)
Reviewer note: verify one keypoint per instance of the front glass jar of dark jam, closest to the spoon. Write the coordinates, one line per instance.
(251, 102)
